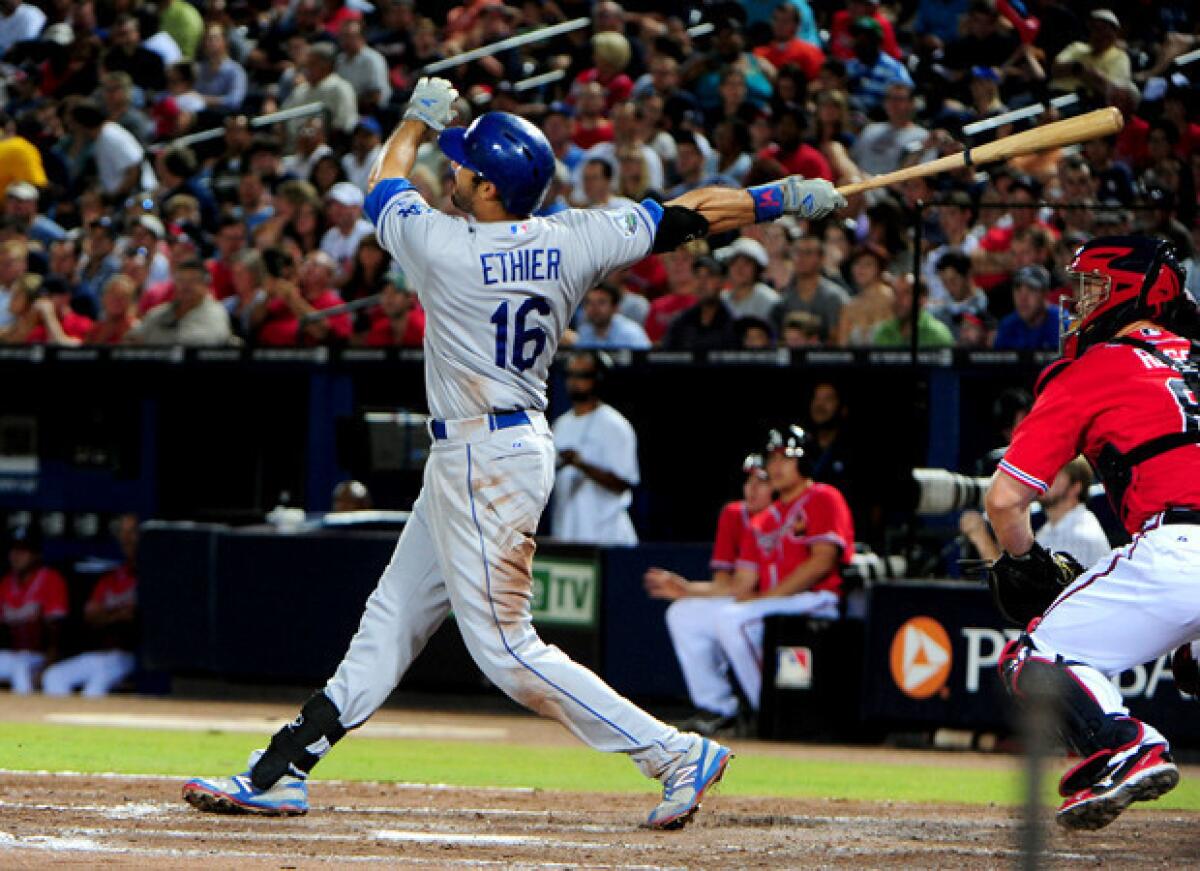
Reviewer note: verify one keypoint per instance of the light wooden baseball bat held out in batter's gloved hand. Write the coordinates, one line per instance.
(1073, 130)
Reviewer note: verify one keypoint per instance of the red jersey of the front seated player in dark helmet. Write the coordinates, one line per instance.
(778, 539)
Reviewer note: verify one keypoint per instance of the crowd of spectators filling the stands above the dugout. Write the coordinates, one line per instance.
(118, 227)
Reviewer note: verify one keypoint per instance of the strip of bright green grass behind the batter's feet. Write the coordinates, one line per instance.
(35, 747)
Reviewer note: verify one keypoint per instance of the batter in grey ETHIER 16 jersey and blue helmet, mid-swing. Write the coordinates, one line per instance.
(499, 290)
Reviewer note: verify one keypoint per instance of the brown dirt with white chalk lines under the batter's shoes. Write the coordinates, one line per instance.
(81, 821)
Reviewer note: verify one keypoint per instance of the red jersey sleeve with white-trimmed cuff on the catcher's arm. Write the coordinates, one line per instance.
(1052, 435)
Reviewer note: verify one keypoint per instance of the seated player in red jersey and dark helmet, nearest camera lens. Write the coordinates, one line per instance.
(789, 562)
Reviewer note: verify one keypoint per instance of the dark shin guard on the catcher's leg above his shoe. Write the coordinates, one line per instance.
(1095, 734)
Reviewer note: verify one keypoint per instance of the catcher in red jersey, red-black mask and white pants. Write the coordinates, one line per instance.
(1127, 395)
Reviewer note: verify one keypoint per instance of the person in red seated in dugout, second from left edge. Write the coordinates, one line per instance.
(111, 618)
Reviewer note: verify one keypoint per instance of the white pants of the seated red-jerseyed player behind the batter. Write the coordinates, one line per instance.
(715, 635)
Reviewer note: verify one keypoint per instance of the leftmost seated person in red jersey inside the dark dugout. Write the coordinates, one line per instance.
(33, 604)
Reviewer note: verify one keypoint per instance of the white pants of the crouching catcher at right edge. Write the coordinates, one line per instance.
(1130, 609)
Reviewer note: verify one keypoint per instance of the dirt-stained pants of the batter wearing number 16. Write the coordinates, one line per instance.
(469, 545)
